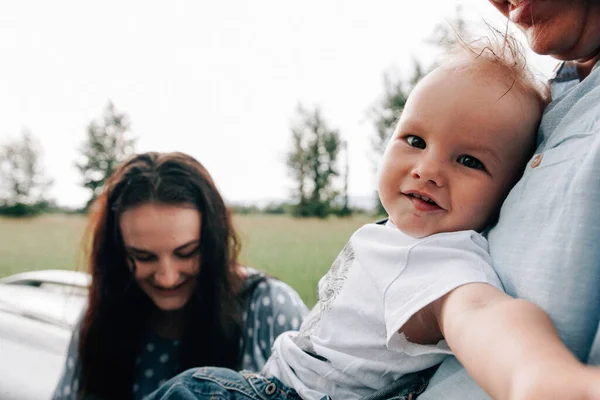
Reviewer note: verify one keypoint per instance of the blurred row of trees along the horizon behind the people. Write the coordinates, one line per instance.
(317, 160)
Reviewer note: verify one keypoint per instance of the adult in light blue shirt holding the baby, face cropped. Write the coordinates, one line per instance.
(546, 245)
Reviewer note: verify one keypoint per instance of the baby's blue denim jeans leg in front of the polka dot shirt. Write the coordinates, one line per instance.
(221, 384)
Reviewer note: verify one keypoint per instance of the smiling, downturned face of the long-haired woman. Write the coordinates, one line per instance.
(163, 244)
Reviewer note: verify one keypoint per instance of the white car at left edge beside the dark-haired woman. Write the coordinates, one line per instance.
(38, 310)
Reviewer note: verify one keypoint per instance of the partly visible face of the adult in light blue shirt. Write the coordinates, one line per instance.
(564, 29)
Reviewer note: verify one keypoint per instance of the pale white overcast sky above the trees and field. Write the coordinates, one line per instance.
(219, 80)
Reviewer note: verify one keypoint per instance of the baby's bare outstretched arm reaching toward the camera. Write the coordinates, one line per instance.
(510, 347)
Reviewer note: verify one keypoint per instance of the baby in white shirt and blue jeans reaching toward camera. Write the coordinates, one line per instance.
(402, 296)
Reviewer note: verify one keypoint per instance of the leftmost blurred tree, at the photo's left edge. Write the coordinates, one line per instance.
(24, 181)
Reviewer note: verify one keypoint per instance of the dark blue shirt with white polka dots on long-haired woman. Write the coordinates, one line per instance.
(273, 307)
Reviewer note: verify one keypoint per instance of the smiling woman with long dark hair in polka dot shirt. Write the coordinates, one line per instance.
(168, 292)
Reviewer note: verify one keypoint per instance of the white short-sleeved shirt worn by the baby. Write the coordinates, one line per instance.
(349, 345)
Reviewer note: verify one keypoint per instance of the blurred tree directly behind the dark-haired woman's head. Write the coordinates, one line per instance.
(108, 143)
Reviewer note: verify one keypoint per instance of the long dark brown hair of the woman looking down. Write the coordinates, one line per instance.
(117, 316)
